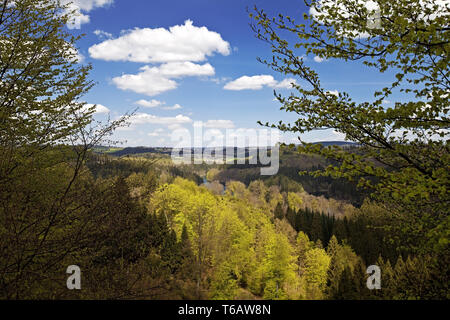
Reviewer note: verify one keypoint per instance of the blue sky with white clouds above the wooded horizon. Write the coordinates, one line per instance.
(178, 62)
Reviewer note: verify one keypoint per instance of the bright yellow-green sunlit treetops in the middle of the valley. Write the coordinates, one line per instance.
(238, 243)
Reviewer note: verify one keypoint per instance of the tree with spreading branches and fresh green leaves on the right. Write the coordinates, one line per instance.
(404, 154)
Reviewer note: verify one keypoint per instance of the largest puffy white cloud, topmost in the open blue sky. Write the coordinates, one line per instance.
(179, 43)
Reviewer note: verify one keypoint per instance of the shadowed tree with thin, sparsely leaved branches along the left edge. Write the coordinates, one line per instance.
(46, 197)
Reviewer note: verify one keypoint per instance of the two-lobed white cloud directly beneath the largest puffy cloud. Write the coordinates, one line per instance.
(152, 81)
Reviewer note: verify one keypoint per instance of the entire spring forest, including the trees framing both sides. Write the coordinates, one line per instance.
(142, 227)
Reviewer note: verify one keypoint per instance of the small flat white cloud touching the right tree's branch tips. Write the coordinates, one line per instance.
(257, 83)
